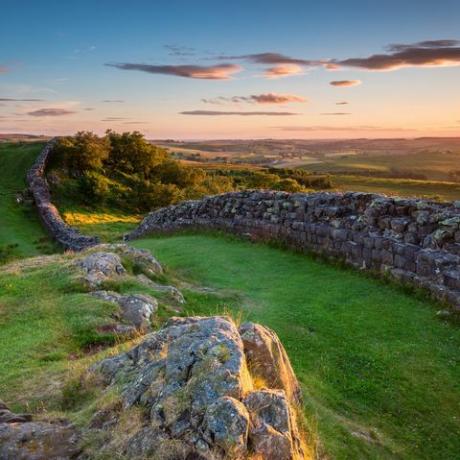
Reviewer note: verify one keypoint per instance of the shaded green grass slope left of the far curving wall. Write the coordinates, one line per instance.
(20, 228)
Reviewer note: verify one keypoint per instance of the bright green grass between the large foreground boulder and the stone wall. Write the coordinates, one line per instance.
(374, 362)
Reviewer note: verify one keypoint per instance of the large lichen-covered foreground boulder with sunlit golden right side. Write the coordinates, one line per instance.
(196, 384)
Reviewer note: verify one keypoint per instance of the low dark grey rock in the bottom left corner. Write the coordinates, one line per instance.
(24, 439)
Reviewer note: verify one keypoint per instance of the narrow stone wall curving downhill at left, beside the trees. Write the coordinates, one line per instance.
(68, 237)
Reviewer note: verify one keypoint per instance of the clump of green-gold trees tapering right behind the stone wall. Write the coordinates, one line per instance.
(127, 172)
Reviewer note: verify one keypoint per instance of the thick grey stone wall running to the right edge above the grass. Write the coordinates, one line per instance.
(414, 241)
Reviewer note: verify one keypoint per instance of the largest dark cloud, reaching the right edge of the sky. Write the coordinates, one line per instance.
(430, 53)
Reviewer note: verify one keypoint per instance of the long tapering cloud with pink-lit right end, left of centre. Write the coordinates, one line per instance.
(214, 72)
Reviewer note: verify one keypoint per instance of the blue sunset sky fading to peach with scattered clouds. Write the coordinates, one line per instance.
(240, 69)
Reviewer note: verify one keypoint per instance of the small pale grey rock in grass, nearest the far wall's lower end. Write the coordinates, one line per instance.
(100, 266)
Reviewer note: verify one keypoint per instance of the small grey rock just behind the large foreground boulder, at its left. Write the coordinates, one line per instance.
(136, 309)
